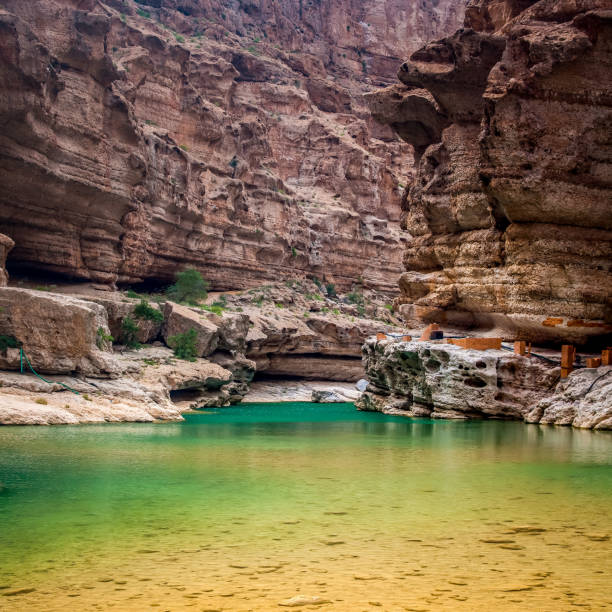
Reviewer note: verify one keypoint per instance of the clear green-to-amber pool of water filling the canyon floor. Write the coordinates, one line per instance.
(244, 508)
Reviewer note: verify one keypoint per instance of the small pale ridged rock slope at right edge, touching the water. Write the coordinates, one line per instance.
(584, 399)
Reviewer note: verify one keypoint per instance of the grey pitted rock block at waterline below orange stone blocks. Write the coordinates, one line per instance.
(445, 381)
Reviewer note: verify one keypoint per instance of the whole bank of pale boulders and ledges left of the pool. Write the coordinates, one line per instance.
(77, 340)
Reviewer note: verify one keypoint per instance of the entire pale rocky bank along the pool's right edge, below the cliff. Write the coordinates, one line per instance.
(437, 380)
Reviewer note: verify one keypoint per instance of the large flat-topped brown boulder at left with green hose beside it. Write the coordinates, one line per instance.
(59, 333)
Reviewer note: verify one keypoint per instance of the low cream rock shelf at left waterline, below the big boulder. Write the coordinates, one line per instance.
(142, 393)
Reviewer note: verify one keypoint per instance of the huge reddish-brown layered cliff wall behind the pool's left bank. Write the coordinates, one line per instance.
(142, 137)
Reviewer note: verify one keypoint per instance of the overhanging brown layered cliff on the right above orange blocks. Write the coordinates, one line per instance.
(509, 216)
